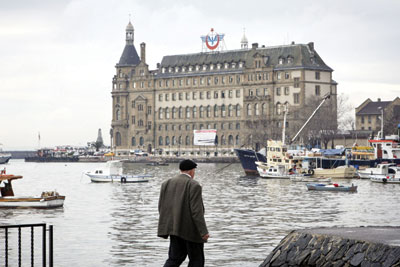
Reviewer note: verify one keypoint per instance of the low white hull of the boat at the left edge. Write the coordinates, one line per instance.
(32, 202)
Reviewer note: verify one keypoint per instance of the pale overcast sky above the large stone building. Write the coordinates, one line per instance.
(58, 57)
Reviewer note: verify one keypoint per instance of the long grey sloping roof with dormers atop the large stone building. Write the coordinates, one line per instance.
(302, 56)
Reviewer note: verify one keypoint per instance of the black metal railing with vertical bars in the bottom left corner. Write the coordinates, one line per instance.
(8, 235)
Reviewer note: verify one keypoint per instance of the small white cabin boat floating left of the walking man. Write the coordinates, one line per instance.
(113, 172)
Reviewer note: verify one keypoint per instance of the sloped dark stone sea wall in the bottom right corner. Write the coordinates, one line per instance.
(363, 246)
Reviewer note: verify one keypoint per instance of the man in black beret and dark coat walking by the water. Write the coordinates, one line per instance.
(181, 212)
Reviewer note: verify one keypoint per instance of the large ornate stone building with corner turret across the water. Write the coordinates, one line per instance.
(232, 91)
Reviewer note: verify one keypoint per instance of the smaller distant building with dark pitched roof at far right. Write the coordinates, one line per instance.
(368, 114)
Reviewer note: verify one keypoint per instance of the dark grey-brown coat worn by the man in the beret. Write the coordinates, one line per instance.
(181, 209)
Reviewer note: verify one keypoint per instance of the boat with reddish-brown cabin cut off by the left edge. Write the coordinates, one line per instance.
(46, 200)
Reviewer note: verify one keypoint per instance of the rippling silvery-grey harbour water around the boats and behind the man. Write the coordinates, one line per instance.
(116, 225)
